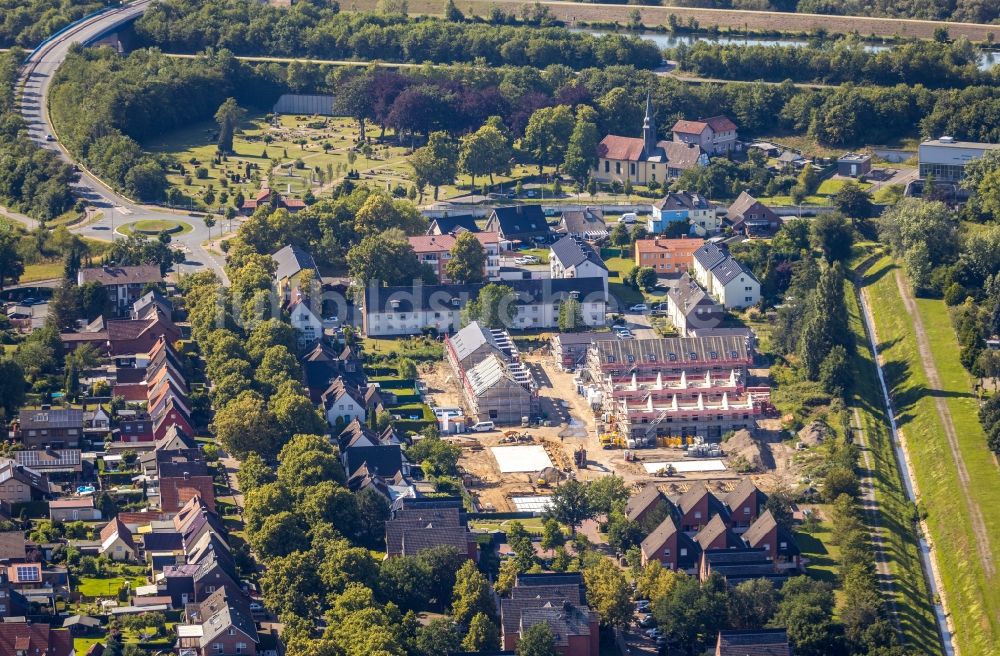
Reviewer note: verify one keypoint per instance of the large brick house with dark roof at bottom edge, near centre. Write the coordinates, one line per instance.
(557, 600)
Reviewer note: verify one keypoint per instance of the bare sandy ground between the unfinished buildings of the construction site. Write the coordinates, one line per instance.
(574, 426)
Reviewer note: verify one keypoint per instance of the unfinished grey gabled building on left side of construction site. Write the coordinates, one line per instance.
(496, 386)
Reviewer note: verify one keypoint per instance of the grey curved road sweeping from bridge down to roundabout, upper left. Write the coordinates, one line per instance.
(36, 77)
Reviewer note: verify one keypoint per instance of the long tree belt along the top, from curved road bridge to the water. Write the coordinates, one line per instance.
(315, 29)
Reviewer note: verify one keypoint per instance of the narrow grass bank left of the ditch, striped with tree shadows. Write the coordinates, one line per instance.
(899, 538)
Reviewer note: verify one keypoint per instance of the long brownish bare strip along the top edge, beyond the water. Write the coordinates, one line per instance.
(571, 12)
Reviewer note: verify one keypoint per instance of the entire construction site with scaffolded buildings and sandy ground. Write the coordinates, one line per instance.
(578, 428)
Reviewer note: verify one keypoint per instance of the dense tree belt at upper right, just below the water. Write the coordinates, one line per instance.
(928, 63)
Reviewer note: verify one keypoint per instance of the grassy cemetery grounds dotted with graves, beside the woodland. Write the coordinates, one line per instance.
(295, 154)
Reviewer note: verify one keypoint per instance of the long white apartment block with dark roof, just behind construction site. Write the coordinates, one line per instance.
(411, 310)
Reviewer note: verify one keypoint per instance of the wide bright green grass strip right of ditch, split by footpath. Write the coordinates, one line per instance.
(972, 596)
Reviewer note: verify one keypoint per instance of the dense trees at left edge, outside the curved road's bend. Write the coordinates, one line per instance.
(32, 180)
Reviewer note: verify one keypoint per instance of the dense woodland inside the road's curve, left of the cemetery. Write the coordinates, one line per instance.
(104, 105)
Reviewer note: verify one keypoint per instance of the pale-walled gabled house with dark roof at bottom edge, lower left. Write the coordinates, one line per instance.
(222, 624)
